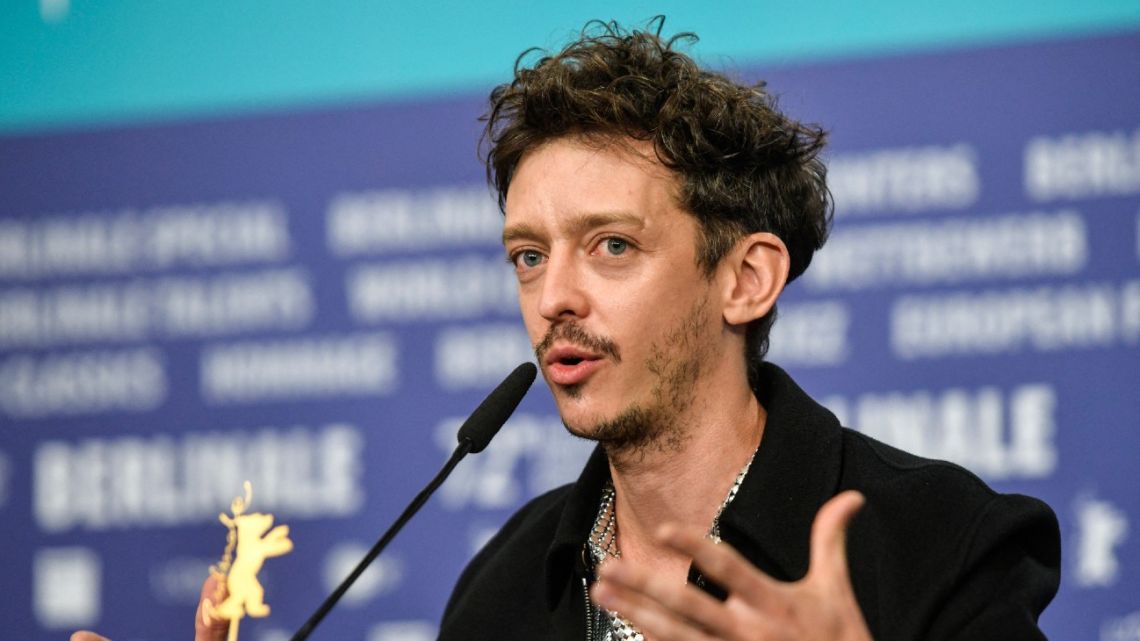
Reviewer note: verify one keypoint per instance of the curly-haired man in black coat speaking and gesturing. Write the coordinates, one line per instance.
(654, 214)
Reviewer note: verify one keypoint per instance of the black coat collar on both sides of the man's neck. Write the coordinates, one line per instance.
(795, 472)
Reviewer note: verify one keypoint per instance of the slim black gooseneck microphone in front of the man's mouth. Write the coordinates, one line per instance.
(476, 433)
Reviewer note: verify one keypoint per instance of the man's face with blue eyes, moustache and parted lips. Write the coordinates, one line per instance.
(623, 320)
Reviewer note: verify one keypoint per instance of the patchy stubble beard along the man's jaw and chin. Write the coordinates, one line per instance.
(657, 424)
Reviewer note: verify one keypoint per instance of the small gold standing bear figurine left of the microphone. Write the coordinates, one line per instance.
(249, 543)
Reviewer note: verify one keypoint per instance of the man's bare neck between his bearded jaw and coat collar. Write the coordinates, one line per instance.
(685, 483)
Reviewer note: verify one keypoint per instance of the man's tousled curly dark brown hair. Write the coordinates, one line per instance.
(744, 166)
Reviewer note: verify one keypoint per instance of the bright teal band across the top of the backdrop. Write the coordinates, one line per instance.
(86, 62)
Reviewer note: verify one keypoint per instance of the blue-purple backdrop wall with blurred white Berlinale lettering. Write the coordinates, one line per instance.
(313, 302)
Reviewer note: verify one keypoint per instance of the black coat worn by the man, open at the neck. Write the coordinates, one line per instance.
(934, 555)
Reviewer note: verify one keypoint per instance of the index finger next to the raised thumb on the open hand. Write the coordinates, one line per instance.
(720, 563)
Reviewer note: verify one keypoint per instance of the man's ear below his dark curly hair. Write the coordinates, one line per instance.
(756, 272)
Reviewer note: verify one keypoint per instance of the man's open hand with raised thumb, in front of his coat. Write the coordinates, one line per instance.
(820, 607)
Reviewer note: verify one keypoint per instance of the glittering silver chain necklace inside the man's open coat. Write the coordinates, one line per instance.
(604, 545)
